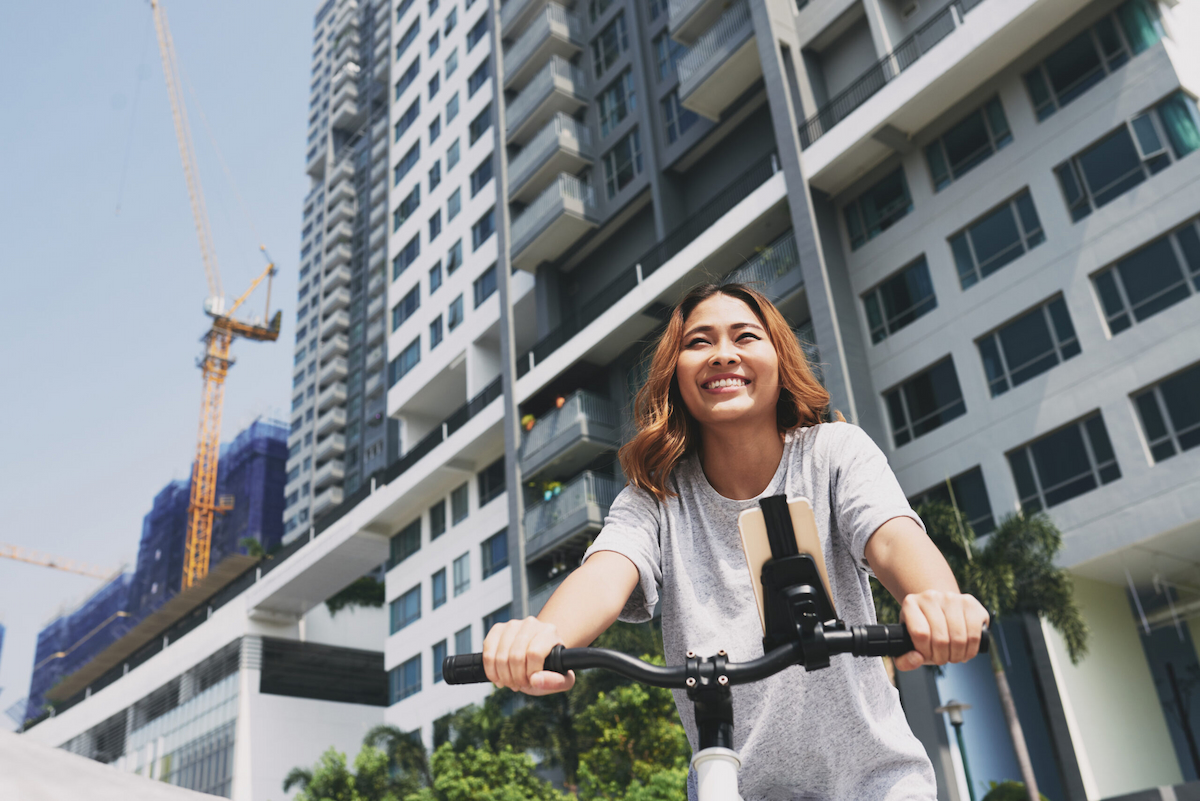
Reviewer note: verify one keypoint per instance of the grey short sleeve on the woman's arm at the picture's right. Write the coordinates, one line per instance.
(866, 492)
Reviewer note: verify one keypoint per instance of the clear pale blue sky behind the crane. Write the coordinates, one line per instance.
(103, 273)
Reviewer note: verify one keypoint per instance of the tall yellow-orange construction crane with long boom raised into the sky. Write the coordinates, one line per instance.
(215, 364)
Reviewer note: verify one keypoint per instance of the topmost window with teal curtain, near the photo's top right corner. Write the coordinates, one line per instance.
(1088, 59)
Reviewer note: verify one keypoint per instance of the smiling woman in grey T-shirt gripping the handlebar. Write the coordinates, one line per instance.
(729, 414)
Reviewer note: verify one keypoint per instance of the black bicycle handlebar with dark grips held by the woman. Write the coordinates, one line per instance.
(879, 640)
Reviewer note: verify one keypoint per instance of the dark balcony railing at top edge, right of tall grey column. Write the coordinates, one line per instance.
(887, 69)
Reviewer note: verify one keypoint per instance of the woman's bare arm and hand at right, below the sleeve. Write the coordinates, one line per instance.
(945, 624)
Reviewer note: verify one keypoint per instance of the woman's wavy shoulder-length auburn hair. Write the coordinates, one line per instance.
(667, 431)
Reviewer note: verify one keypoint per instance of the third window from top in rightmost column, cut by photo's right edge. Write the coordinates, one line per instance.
(1151, 279)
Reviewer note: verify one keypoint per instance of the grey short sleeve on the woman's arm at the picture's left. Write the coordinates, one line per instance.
(632, 529)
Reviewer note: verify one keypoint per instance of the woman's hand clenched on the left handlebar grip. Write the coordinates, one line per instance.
(514, 654)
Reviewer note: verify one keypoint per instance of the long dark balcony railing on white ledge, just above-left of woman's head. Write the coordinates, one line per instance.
(629, 279)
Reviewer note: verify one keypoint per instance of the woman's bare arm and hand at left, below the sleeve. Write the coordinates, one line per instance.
(589, 601)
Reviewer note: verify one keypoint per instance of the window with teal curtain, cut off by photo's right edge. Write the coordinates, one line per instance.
(1130, 155)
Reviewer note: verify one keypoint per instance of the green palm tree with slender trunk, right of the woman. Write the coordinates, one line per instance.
(1013, 574)
